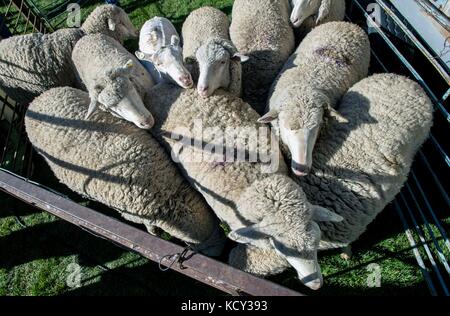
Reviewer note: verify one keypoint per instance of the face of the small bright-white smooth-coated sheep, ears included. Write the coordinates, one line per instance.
(169, 62)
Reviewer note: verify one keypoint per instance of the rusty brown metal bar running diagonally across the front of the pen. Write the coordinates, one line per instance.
(199, 267)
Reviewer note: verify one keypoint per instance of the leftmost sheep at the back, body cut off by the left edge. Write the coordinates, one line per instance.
(33, 63)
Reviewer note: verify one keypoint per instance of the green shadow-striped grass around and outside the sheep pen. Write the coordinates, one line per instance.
(35, 257)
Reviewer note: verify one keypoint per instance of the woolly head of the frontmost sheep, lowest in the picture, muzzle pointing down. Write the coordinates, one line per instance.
(289, 225)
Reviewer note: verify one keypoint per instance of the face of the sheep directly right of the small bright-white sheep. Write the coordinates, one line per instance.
(214, 63)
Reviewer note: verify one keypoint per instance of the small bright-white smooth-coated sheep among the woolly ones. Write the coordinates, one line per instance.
(161, 54)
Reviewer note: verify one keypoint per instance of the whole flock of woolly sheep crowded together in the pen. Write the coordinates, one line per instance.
(350, 140)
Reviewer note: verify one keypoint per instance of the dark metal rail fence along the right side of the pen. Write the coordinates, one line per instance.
(424, 202)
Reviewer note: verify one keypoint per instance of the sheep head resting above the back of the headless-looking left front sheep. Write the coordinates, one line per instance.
(116, 94)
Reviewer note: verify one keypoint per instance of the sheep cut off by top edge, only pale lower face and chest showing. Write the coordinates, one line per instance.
(308, 14)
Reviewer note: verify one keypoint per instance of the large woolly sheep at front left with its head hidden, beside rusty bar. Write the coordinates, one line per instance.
(111, 161)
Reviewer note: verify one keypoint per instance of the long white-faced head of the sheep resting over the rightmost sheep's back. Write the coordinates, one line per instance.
(300, 116)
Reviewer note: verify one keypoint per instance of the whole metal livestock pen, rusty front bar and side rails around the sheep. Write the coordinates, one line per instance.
(421, 206)
